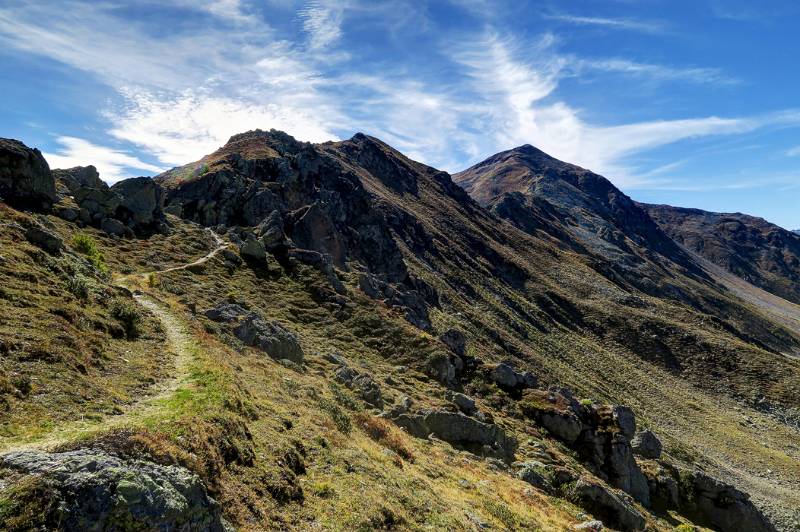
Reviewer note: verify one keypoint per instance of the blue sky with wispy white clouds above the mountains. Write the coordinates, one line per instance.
(692, 103)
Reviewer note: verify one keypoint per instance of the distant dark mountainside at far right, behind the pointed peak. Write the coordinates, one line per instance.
(759, 252)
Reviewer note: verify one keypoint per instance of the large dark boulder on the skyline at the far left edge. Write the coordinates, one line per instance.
(25, 177)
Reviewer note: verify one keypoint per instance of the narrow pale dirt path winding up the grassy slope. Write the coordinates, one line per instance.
(179, 342)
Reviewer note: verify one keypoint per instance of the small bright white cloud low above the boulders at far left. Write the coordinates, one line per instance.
(111, 164)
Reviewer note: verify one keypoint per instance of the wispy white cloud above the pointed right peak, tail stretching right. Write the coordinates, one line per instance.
(518, 98)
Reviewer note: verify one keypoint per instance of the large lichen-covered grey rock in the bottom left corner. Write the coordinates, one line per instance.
(102, 492)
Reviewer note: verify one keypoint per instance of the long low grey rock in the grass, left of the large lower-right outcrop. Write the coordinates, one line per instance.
(456, 428)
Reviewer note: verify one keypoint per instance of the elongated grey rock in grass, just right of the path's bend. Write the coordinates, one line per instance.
(253, 330)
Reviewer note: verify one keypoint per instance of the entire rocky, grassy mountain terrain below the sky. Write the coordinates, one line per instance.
(294, 336)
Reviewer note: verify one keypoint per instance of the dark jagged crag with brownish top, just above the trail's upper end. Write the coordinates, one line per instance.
(304, 195)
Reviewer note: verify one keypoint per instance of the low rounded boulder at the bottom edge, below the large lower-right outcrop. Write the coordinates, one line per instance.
(611, 507)
